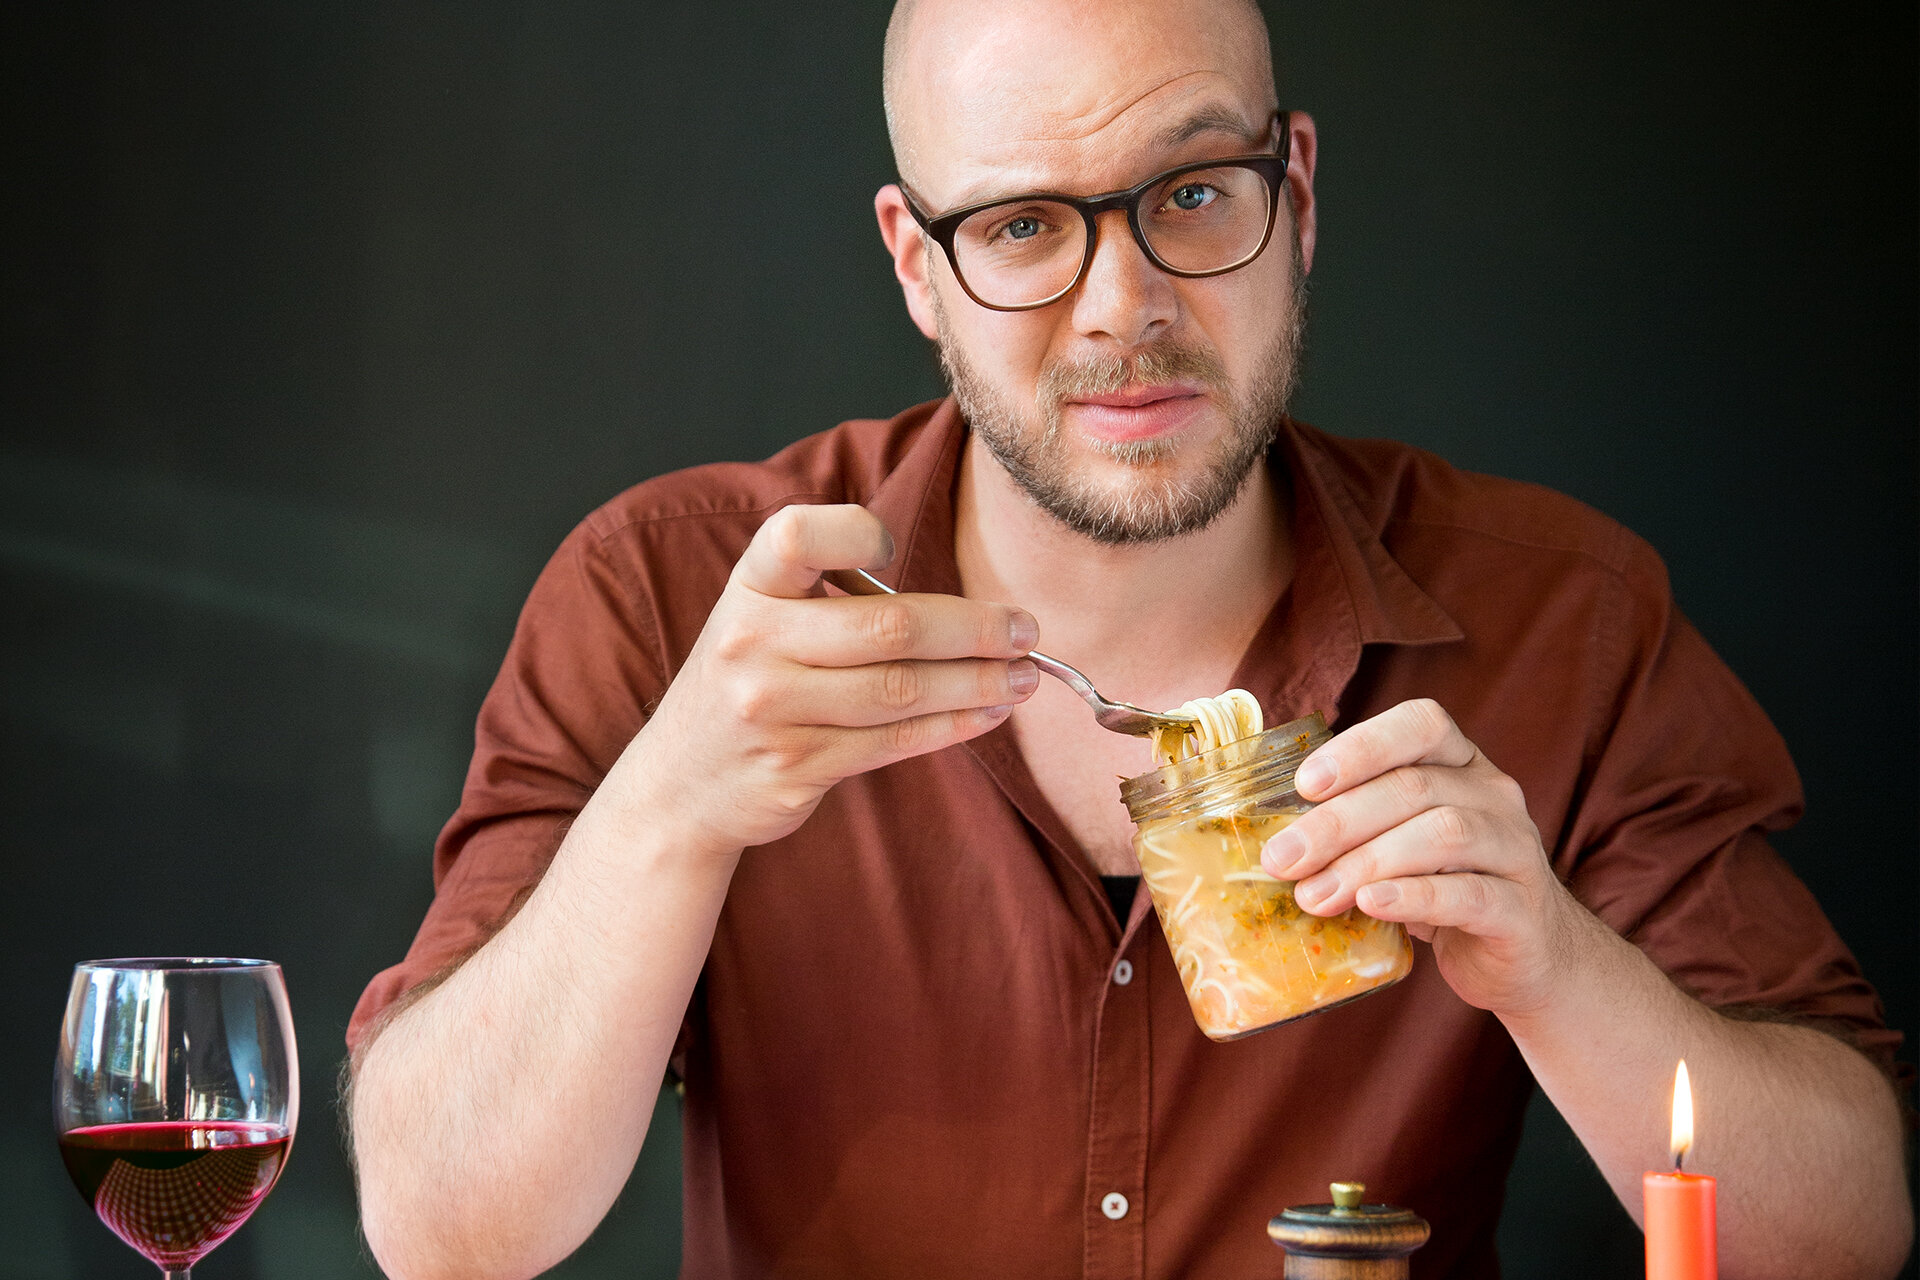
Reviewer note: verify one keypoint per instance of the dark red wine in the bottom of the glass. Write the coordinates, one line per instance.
(176, 1189)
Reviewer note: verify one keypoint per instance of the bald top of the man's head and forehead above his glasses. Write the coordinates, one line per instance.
(972, 85)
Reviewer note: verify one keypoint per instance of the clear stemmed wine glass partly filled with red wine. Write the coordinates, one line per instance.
(176, 1095)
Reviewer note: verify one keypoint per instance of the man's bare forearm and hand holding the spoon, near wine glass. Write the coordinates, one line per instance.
(498, 1118)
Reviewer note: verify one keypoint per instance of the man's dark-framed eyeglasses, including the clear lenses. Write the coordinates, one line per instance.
(1201, 220)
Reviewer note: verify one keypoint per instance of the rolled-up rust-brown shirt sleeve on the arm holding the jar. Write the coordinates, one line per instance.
(1685, 782)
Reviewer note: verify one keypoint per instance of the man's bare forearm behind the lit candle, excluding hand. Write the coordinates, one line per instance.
(1800, 1129)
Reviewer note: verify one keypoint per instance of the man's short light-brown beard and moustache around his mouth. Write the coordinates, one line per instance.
(1155, 504)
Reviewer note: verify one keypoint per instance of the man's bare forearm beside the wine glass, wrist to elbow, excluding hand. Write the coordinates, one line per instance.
(496, 1120)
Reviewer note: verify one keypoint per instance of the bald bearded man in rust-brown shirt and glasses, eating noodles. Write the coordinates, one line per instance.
(836, 861)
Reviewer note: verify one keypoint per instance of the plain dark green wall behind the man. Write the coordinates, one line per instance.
(325, 323)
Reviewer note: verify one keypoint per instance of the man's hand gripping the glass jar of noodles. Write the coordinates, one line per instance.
(1414, 824)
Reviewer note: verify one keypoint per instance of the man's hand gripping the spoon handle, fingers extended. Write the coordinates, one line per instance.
(786, 694)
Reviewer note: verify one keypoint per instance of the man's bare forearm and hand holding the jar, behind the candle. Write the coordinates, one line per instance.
(1416, 824)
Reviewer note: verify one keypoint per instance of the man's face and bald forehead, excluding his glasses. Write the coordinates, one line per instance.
(1136, 406)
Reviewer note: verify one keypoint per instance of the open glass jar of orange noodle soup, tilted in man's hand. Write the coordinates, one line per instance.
(1249, 957)
